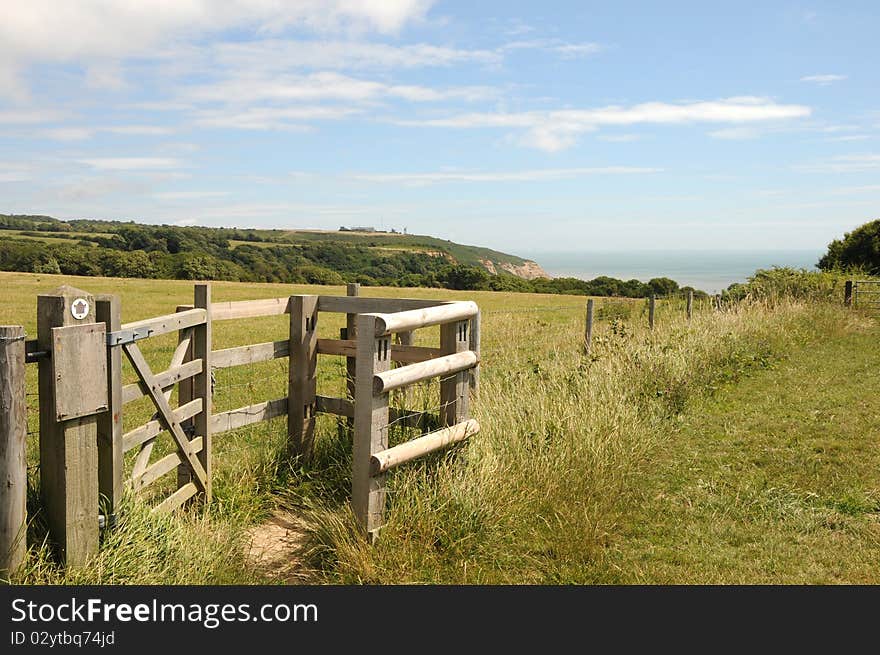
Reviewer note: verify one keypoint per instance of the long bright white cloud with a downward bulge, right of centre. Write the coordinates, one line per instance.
(558, 129)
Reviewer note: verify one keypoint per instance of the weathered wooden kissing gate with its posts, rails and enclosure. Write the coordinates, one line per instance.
(79, 347)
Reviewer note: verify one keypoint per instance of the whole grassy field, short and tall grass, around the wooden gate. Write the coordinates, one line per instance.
(702, 451)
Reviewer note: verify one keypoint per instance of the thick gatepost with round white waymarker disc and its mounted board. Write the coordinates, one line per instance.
(68, 442)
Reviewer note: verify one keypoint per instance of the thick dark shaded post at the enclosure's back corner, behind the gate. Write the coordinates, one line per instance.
(302, 378)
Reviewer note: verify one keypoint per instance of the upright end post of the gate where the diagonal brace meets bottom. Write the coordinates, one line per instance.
(202, 384)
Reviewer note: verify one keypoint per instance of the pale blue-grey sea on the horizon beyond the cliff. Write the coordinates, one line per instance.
(707, 270)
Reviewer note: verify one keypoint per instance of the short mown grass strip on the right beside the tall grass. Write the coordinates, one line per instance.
(773, 479)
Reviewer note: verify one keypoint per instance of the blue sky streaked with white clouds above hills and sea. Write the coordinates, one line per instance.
(557, 126)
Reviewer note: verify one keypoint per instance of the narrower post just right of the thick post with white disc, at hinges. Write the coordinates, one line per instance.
(108, 310)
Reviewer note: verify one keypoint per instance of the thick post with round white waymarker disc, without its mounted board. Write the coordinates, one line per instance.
(68, 448)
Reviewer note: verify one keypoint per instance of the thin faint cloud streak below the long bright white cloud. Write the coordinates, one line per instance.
(423, 179)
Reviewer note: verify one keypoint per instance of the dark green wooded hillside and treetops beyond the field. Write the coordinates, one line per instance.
(118, 249)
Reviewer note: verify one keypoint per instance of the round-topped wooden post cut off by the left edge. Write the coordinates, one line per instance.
(13, 453)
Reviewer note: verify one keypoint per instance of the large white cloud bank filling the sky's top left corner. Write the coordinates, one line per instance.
(96, 32)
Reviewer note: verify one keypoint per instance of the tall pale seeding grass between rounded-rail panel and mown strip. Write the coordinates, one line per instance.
(534, 497)
